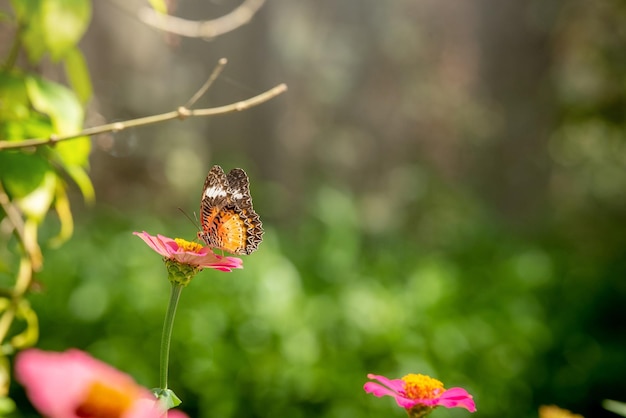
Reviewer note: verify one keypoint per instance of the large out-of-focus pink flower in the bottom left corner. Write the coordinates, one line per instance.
(75, 385)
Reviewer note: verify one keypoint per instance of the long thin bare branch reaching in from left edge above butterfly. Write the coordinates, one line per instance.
(181, 113)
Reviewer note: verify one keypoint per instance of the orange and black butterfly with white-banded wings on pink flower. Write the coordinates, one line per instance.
(227, 218)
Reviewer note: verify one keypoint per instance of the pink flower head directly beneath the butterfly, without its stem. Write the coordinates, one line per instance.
(190, 253)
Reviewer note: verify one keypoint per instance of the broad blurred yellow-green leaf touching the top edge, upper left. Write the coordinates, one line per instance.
(64, 22)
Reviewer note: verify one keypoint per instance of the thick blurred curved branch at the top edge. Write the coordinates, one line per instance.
(202, 29)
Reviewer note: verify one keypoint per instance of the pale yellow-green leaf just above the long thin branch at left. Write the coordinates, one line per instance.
(58, 102)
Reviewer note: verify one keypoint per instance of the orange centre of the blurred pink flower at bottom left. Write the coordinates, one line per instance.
(102, 401)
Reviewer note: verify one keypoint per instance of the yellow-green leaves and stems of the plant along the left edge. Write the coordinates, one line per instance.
(33, 179)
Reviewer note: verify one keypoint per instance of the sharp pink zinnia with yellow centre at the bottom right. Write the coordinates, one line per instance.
(419, 394)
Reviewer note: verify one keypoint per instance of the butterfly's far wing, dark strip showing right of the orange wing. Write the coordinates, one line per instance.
(239, 193)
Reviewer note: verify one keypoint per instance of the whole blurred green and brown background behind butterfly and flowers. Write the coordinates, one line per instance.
(443, 189)
